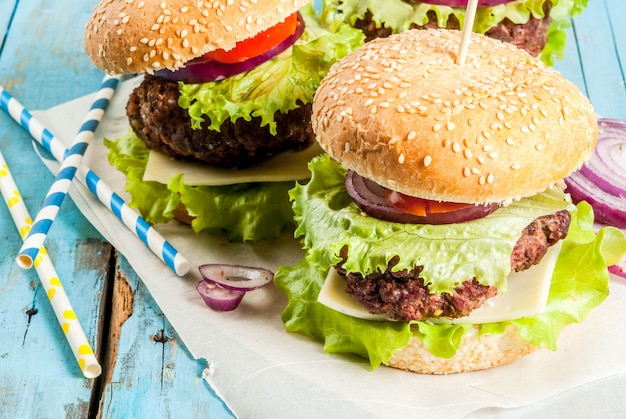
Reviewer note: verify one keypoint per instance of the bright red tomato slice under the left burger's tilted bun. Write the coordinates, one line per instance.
(258, 44)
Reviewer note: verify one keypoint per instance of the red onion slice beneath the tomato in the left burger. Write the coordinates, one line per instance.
(202, 70)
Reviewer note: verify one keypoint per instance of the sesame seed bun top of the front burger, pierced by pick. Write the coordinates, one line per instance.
(503, 126)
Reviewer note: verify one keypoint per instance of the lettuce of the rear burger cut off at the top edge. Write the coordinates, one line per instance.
(398, 15)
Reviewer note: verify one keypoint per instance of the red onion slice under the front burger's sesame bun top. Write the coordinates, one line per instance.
(370, 197)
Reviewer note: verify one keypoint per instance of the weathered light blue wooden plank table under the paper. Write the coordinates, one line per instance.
(147, 371)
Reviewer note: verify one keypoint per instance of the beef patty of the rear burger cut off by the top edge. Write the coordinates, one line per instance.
(530, 36)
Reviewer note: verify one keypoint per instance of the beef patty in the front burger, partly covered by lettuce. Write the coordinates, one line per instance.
(402, 295)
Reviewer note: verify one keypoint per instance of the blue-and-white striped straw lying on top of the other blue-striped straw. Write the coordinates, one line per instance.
(63, 180)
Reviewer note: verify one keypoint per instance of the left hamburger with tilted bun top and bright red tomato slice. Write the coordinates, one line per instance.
(226, 87)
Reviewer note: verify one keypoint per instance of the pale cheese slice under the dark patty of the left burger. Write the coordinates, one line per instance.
(286, 166)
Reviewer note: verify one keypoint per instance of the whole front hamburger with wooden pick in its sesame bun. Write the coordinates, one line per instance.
(437, 233)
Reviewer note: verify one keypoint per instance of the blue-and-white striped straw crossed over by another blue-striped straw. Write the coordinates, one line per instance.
(113, 202)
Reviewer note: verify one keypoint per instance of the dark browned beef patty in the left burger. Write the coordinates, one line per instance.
(162, 125)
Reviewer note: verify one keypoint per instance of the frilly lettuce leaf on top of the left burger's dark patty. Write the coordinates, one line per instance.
(279, 85)
